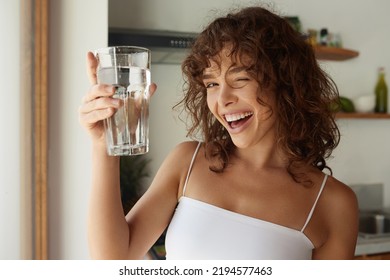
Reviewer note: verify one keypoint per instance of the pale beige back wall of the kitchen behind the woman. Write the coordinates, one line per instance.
(363, 155)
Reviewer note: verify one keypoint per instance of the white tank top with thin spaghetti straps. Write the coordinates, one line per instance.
(202, 231)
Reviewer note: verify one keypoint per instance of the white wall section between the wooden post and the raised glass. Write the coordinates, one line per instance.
(75, 27)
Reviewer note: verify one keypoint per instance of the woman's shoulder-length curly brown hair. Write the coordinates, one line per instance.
(281, 61)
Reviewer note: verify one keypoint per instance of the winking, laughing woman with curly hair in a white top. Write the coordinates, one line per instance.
(254, 188)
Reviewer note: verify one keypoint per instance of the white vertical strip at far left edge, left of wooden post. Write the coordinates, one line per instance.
(10, 136)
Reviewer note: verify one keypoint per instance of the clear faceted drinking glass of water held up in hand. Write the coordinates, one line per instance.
(127, 68)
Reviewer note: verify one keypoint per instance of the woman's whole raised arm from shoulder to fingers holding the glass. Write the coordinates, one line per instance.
(111, 234)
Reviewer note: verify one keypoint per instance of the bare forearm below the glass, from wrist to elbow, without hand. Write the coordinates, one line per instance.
(107, 227)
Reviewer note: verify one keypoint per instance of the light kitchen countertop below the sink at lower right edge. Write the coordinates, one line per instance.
(368, 246)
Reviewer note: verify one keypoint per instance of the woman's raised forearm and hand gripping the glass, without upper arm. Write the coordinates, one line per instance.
(107, 227)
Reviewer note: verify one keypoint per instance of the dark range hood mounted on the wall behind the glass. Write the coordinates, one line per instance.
(168, 47)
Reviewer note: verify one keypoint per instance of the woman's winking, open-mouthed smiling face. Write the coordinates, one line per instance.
(233, 97)
